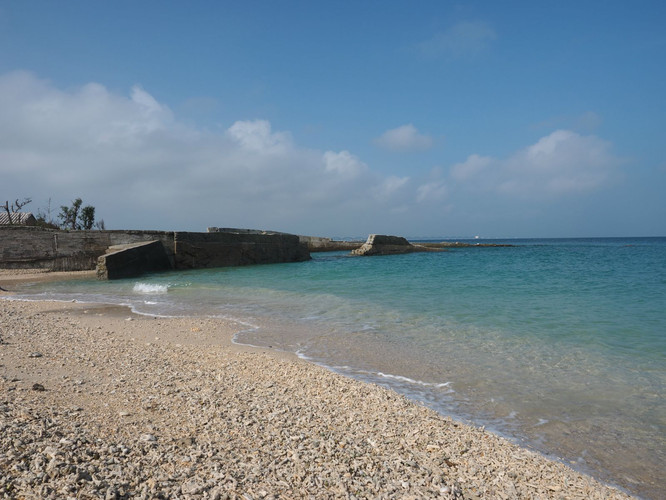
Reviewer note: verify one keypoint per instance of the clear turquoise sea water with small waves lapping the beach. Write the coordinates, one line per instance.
(558, 344)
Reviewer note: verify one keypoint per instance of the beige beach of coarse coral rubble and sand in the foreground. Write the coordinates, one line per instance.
(140, 406)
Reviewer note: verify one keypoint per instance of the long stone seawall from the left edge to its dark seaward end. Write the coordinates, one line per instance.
(56, 250)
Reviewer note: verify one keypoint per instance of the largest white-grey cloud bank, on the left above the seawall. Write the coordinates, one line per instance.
(141, 167)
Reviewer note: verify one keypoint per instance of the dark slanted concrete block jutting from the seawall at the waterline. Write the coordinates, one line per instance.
(133, 260)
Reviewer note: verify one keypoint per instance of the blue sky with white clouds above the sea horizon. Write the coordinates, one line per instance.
(340, 118)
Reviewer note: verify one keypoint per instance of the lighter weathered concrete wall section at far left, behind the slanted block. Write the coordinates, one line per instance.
(34, 247)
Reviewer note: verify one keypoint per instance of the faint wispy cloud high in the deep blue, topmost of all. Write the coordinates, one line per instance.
(464, 39)
